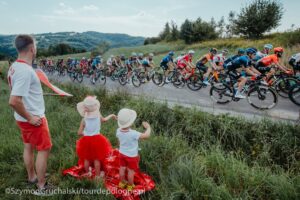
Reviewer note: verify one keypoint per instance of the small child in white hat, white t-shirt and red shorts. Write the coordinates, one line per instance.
(128, 139)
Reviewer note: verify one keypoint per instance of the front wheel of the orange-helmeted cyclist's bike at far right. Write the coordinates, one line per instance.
(284, 85)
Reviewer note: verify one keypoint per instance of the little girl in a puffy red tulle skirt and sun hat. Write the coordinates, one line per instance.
(93, 147)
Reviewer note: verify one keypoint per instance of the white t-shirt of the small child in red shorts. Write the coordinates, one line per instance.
(129, 142)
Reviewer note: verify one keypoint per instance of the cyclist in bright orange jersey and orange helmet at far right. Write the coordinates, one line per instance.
(265, 64)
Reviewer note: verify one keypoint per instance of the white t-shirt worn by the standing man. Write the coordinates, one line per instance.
(25, 83)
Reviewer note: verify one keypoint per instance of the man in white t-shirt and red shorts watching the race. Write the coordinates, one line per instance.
(27, 100)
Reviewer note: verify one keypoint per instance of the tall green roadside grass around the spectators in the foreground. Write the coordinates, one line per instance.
(190, 155)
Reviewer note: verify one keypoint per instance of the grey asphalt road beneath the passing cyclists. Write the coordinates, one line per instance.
(285, 110)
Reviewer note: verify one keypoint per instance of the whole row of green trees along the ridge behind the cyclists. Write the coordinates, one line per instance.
(253, 20)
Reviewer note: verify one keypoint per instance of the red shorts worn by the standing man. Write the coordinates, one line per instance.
(37, 136)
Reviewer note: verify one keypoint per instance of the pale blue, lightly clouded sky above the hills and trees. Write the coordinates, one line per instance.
(133, 17)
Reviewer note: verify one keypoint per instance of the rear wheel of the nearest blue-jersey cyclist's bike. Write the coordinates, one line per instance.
(221, 93)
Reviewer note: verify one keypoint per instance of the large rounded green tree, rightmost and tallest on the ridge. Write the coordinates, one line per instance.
(258, 17)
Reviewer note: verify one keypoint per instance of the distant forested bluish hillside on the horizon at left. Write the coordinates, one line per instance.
(86, 40)
